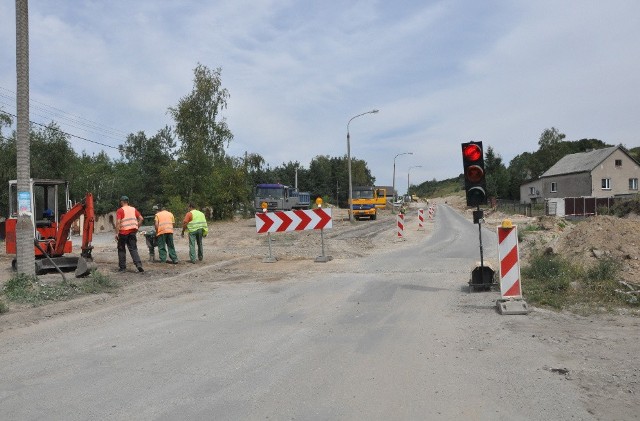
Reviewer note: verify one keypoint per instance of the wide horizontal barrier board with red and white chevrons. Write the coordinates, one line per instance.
(297, 220)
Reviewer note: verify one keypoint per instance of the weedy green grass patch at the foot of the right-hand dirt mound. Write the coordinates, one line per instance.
(556, 282)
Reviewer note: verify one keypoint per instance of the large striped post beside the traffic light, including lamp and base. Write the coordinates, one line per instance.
(511, 301)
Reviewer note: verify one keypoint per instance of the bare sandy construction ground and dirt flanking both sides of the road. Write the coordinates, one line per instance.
(234, 252)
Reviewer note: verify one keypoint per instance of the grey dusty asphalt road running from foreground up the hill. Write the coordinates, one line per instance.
(397, 337)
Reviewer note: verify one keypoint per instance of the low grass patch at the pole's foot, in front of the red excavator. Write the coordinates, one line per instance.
(27, 289)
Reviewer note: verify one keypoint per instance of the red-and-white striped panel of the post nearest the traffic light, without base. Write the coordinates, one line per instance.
(509, 256)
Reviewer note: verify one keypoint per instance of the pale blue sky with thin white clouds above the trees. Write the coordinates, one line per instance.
(298, 72)
